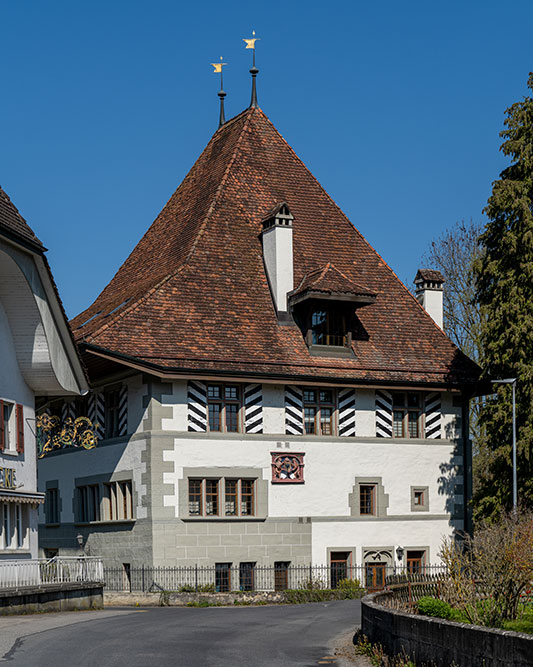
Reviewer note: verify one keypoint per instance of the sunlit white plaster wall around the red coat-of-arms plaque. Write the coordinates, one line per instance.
(330, 471)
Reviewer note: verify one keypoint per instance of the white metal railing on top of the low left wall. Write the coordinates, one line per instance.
(35, 572)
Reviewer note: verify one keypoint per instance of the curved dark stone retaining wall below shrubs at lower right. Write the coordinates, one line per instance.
(441, 642)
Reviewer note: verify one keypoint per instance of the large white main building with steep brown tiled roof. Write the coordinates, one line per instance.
(267, 390)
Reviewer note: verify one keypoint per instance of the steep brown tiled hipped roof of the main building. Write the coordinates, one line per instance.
(199, 300)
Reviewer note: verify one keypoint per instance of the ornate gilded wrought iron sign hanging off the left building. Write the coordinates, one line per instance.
(54, 433)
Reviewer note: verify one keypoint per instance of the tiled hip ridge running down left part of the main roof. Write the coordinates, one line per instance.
(146, 295)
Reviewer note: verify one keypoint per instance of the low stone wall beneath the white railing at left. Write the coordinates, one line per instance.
(51, 597)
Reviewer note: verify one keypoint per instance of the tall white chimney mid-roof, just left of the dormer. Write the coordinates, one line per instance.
(277, 255)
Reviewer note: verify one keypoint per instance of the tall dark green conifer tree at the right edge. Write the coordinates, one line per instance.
(504, 274)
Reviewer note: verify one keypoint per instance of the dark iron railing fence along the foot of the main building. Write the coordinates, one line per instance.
(249, 577)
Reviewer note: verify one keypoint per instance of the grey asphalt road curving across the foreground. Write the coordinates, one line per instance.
(192, 637)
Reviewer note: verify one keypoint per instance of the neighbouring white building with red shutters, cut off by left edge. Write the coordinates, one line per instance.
(38, 356)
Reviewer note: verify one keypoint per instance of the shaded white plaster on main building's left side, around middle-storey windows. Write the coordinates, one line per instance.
(65, 467)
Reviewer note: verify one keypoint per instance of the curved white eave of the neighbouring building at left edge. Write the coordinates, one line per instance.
(45, 350)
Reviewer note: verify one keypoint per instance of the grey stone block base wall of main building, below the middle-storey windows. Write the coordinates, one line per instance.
(173, 542)
